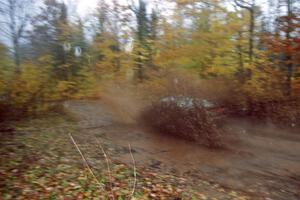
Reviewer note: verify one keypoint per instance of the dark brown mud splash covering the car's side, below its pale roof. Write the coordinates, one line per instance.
(187, 123)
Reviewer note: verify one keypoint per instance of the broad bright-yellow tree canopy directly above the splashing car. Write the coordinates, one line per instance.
(203, 37)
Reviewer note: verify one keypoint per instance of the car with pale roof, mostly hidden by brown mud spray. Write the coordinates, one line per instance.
(189, 118)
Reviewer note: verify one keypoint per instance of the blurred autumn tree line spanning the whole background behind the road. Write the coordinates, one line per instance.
(48, 53)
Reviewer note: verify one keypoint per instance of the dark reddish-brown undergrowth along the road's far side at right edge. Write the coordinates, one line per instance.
(284, 112)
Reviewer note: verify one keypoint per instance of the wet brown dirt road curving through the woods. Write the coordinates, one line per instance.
(264, 162)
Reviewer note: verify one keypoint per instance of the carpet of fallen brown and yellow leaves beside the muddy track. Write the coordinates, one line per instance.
(44, 165)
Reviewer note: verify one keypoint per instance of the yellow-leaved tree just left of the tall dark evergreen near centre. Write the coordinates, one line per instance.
(111, 38)
